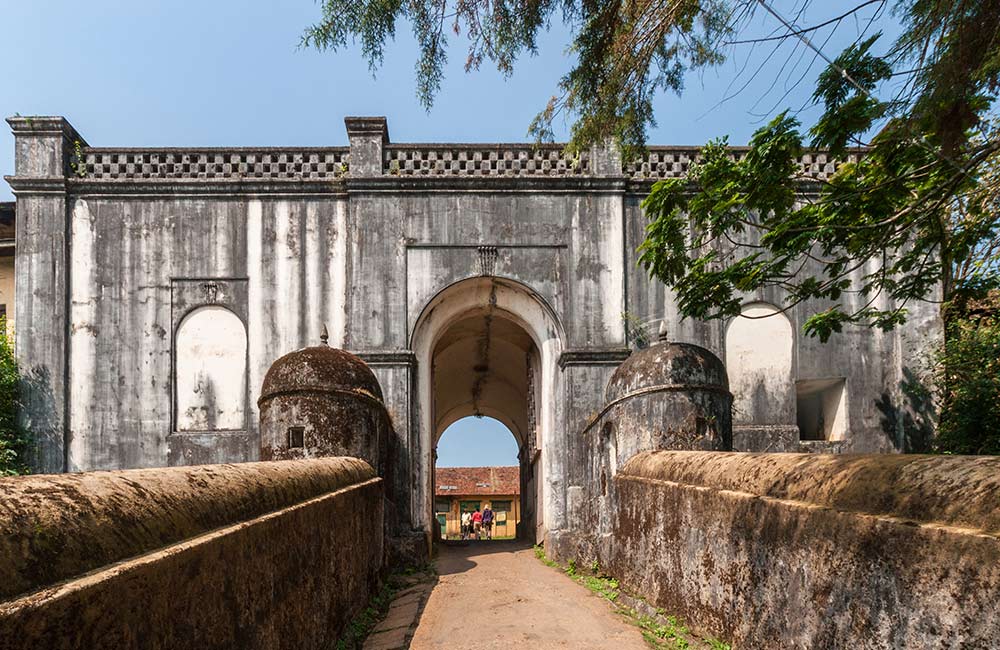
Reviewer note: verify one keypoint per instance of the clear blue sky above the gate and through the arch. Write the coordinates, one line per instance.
(228, 72)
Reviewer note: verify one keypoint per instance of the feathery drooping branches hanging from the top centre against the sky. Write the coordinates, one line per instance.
(625, 52)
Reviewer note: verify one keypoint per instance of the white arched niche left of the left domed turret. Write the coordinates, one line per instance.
(210, 371)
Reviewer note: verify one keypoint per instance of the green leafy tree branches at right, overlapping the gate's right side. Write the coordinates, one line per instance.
(909, 215)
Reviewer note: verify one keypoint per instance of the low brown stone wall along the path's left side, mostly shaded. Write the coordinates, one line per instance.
(257, 555)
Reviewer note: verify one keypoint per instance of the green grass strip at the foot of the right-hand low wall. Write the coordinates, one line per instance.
(662, 632)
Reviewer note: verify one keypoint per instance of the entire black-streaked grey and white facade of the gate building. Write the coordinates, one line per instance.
(116, 247)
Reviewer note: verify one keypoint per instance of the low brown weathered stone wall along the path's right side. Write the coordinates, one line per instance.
(814, 551)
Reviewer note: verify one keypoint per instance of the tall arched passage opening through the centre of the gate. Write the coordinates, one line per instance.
(485, 364)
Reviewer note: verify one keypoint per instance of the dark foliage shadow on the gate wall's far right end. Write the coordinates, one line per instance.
(909, 426)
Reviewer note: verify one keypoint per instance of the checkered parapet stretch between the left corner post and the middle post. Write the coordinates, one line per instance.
(305, 163)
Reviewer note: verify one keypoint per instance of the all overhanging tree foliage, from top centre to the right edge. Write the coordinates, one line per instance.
(908, 217)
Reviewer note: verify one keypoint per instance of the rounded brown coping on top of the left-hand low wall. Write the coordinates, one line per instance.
(57, 526)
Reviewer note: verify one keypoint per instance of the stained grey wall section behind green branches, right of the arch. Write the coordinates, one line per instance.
(878, 367)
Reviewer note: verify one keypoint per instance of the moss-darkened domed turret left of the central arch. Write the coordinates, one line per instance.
(322, 401)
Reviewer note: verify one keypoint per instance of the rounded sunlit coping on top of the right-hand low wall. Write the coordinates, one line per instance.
(955, 491)
